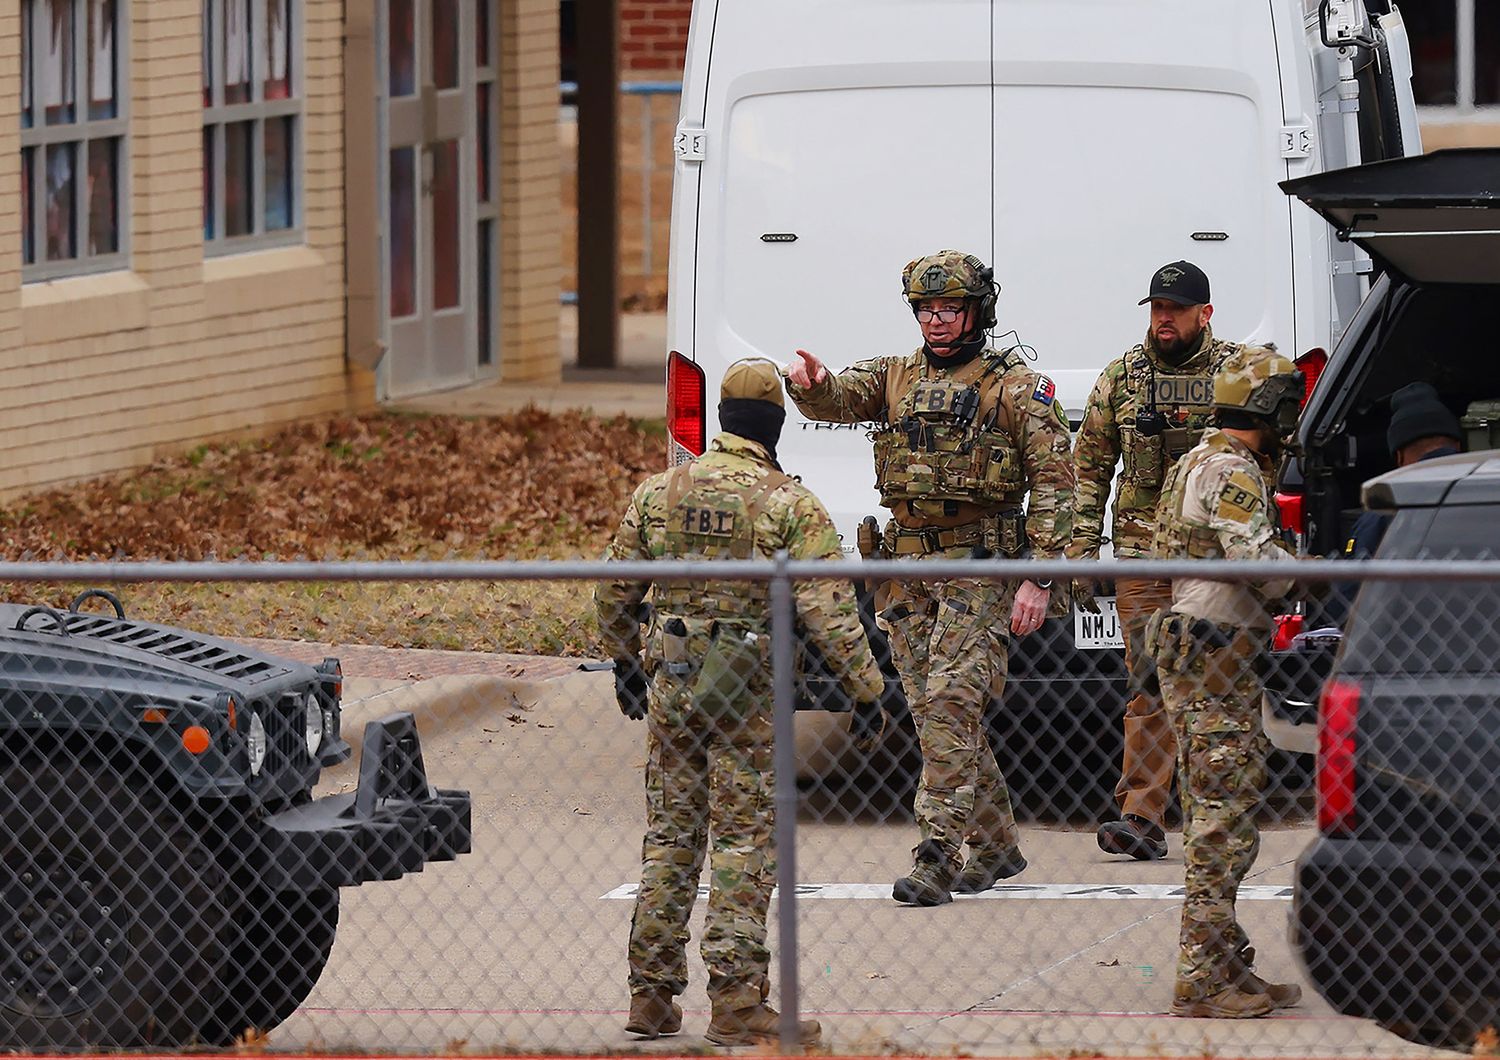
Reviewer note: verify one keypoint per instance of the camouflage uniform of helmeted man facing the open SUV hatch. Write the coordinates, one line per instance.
(1216, 503)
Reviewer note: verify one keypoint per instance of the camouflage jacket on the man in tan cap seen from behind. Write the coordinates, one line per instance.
(733, 494)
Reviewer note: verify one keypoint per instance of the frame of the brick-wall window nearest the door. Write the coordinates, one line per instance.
(218, 116)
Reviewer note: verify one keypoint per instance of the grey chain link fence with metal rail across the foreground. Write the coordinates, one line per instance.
(349, 848)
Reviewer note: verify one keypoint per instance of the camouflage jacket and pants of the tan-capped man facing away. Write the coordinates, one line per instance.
(709, 779)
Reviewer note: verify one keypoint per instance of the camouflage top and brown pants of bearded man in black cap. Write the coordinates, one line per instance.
(1183, 394)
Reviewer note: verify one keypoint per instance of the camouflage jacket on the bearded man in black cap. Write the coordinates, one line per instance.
(1183, 395)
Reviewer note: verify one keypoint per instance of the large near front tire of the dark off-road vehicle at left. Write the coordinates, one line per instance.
(110, 909)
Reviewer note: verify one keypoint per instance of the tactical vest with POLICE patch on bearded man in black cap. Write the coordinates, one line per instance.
(1184, 403)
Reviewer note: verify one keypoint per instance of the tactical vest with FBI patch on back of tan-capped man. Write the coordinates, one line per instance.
(715, 520)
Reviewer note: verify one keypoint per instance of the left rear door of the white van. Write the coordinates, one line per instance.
(844, 139)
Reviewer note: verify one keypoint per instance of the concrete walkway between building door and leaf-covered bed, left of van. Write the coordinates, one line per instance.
(635, 389)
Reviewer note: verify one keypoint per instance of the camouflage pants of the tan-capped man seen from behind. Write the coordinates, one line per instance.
(709, 792)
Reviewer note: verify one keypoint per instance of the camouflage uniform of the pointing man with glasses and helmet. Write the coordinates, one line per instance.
(952, 488)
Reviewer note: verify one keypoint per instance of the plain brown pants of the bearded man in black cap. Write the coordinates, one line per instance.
(1151, 747)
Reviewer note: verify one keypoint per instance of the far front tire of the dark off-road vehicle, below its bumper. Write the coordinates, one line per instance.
(283, 944)
